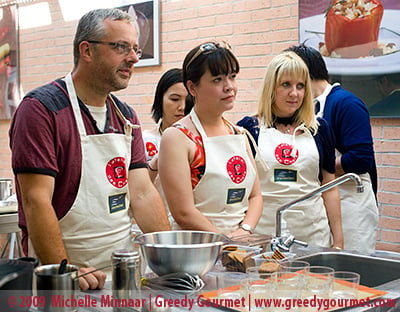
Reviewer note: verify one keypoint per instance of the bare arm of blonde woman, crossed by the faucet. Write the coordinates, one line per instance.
(332, 206)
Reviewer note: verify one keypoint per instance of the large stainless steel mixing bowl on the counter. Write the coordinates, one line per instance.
(193, 252)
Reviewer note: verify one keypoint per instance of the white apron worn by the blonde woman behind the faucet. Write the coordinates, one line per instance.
(293, 167)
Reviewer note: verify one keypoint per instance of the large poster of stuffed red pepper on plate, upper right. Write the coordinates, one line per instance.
(360, 43)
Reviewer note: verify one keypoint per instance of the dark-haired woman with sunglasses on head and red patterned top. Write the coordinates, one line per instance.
(205, 164)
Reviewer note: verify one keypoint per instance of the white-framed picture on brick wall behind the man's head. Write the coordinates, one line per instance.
(147, 17)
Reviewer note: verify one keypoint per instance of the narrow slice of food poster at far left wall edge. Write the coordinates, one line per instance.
(9, 80)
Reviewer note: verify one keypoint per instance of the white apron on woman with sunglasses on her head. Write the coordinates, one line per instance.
(223, 191)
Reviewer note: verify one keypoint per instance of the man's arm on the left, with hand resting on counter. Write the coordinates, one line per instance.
(43, 227)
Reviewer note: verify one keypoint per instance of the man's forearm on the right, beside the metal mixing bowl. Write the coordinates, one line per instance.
(145, 202)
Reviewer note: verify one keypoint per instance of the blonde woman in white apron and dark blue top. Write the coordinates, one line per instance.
(294, 155)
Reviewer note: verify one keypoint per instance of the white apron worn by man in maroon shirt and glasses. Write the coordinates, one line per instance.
(98, 222)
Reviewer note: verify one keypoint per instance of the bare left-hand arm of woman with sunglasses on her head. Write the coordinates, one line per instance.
(174, 170)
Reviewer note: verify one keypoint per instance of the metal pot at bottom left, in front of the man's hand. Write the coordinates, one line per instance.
(56, 288)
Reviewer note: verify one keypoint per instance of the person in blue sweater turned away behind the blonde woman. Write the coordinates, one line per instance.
(348, 116)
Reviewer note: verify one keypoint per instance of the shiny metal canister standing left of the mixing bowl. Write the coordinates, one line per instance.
(126, 274)
